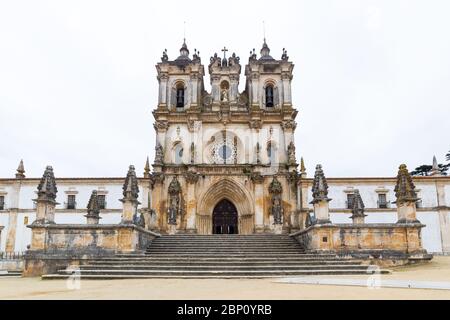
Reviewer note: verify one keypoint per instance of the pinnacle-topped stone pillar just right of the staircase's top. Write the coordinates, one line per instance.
(320, 197)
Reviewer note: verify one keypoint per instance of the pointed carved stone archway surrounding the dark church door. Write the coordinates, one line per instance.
(234, 192)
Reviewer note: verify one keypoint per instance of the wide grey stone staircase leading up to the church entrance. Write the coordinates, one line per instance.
(217, 256)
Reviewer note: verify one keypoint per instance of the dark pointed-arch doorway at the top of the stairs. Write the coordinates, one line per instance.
(225, 218)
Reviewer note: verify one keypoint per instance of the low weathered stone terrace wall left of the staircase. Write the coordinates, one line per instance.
(56, 246)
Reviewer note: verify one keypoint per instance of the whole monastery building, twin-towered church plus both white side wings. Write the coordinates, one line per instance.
(225, 163)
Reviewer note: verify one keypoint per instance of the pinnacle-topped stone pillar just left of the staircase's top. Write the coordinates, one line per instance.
(130, 196)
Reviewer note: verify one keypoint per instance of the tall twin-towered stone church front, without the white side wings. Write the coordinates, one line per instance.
(225, 145)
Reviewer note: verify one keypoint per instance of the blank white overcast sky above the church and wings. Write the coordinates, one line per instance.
(78, 79)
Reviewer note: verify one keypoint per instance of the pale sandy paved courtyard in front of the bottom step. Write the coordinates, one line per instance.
(436, 273)
